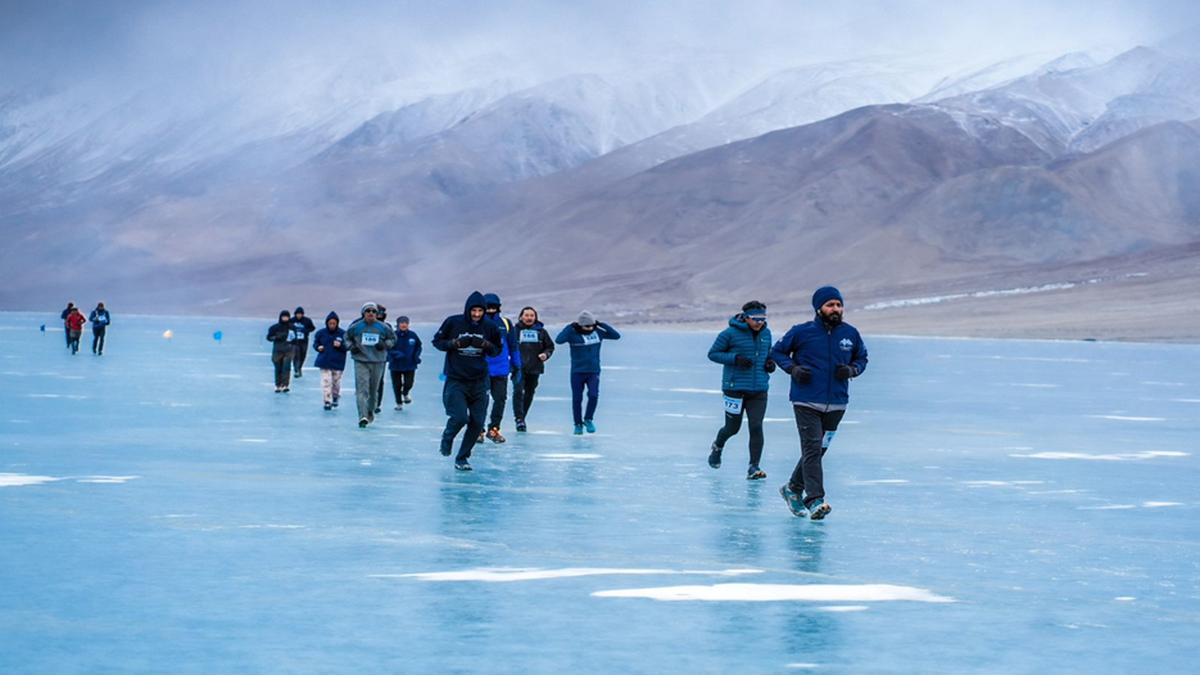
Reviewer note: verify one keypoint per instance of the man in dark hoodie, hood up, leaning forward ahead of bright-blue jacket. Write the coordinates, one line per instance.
(469, 341)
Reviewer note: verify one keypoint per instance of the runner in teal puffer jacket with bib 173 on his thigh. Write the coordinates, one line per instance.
(745, 350)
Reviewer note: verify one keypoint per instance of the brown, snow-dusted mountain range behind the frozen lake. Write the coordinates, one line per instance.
(1037, 194)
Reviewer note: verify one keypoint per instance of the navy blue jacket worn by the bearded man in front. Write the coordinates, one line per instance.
(821, 350)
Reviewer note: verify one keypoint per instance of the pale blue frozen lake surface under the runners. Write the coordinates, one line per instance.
(998, 507)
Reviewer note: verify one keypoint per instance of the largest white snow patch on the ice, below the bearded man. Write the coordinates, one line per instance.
(777, 593)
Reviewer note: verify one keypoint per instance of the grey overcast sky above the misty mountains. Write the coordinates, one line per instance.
(131, 41)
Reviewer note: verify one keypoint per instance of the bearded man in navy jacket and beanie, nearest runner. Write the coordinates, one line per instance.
(821, 357)
